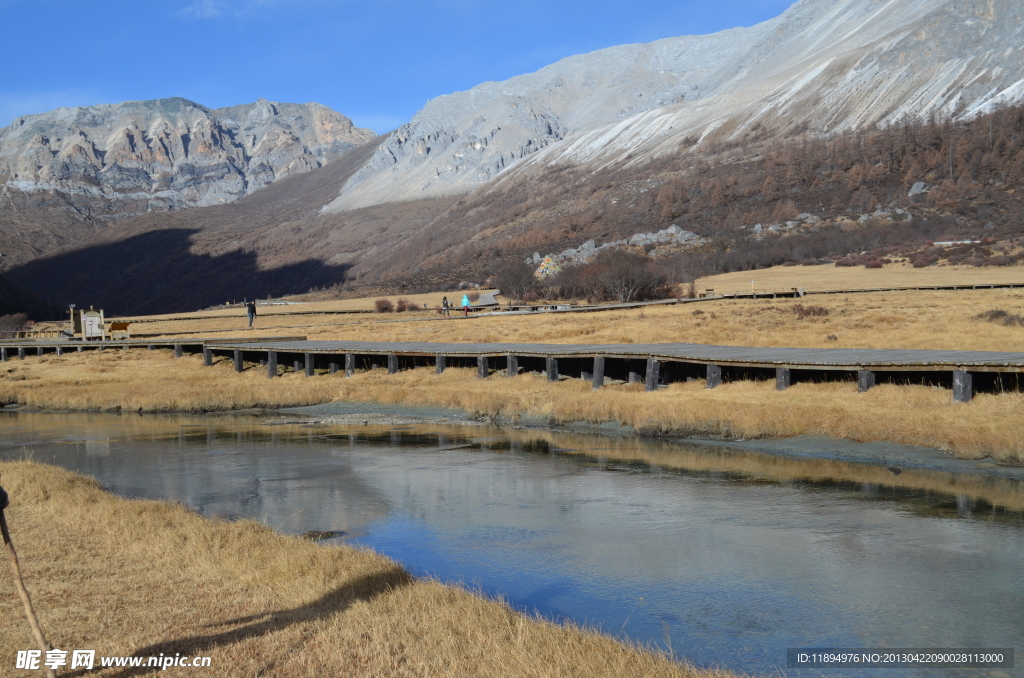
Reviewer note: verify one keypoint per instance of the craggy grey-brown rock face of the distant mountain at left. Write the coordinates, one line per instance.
(172, 153)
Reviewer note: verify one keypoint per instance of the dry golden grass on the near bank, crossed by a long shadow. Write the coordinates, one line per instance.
(148, 578)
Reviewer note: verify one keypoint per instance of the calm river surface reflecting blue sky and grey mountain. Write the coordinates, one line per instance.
(722, 571)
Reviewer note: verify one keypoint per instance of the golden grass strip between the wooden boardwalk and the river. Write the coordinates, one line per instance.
(154, 382)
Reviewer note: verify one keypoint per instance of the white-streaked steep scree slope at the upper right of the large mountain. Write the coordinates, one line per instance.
(830, 66)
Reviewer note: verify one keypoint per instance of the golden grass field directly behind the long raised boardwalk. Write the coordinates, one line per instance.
(887, 320)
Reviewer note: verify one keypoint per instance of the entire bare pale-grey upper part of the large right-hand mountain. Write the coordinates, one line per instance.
(822, 67)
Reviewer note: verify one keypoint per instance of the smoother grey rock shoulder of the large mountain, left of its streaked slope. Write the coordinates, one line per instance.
(461, 141)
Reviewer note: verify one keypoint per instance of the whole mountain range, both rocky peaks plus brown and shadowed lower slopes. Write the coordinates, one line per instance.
(680, 145)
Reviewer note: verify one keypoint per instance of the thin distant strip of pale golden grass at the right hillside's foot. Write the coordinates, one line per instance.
(859, 278)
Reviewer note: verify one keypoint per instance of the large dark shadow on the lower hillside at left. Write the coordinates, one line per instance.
(156, 273)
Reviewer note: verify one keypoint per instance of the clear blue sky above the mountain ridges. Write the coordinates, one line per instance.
(377, 62)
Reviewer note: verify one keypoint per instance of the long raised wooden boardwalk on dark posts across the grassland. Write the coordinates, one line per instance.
(653, 365)
